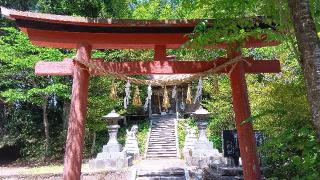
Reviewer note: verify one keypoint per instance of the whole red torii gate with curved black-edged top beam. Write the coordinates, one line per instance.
(85, 34)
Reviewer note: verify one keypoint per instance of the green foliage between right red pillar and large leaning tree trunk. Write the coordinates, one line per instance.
(280, 109)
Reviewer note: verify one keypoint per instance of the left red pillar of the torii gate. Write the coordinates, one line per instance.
(77, 118)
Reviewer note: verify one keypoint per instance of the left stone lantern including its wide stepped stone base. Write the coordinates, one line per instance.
(112, 155)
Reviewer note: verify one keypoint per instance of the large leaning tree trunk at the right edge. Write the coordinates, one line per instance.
(309, 48)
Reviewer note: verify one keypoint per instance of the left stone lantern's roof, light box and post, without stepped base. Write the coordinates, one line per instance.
(112, 120)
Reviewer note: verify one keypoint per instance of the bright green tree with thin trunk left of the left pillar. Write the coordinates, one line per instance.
(19, 83)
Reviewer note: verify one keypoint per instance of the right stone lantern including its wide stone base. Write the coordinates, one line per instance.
(203, 152)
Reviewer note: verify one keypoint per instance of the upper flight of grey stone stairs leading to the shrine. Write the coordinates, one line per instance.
(162, 140)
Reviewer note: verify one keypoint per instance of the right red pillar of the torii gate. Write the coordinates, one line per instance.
(248, 152)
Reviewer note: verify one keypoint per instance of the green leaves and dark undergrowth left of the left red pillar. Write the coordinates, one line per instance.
(23, 93)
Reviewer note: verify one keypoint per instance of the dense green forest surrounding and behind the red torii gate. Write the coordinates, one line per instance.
(34, 110)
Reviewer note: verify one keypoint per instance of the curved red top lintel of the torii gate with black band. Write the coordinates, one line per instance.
(62, 31)
